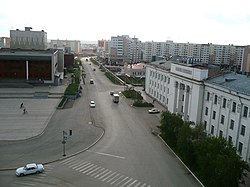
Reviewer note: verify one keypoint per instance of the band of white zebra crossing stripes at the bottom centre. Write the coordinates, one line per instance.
(103, 174)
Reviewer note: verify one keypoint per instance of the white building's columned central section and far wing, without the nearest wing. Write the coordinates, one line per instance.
(179, 87)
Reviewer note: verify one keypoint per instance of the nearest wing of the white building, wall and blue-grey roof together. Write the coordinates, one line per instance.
(226, 110)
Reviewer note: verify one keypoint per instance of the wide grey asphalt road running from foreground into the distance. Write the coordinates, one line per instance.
(127, 155)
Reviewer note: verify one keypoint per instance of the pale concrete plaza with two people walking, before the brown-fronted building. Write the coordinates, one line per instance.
(40, 103)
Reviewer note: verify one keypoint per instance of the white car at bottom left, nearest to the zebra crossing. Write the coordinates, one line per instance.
(29, 169)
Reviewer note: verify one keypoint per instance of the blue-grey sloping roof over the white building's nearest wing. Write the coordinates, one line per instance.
(232, 81)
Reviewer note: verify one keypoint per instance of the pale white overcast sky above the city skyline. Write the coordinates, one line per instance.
(194, 21)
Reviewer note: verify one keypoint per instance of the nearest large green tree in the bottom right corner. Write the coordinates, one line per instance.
(218, 163)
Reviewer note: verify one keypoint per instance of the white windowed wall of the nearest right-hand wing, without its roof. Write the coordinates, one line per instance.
(223, 119)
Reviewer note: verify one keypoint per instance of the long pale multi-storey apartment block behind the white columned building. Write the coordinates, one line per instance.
(228, 56)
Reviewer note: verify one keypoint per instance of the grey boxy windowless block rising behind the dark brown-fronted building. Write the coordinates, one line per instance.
(28, 39)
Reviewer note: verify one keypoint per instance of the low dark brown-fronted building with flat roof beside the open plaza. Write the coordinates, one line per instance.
(31, 66)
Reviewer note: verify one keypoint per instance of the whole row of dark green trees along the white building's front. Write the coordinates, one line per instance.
(213, 160)
